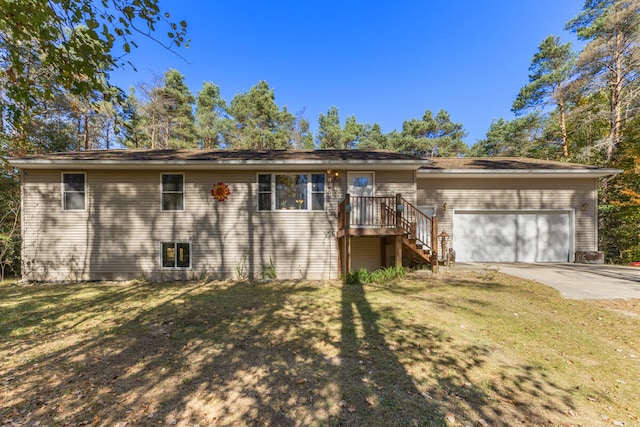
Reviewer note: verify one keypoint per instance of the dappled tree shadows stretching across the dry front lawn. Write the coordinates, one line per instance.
(274, 354)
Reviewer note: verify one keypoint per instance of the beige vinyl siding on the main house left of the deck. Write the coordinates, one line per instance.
(119, 235)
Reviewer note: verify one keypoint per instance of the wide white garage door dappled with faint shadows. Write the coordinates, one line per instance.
(512, 236)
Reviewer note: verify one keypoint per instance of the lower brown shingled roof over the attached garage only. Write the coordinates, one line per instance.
(501, 163)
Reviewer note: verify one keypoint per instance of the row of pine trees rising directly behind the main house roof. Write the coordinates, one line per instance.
(165, 113)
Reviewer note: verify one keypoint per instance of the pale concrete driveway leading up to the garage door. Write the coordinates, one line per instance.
(577, 281)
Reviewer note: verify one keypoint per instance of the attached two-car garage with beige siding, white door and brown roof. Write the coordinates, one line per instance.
(513, 209)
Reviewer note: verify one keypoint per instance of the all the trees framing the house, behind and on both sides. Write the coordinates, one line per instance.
(55, 57)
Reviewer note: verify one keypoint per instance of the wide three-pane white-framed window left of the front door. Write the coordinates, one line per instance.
(291, 191)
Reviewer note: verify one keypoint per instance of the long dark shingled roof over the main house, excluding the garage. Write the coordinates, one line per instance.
(222, 155)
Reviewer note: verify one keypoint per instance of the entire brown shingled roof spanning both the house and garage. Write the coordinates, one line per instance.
(352, 159)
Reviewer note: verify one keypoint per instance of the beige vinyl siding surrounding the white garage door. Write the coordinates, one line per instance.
(515, 194)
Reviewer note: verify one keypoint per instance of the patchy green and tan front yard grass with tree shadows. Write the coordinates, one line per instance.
(460, 348)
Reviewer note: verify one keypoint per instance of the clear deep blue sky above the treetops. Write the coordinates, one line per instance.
(381, 61)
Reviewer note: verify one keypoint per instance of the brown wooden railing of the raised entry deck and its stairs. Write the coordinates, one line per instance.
(388, 212)
